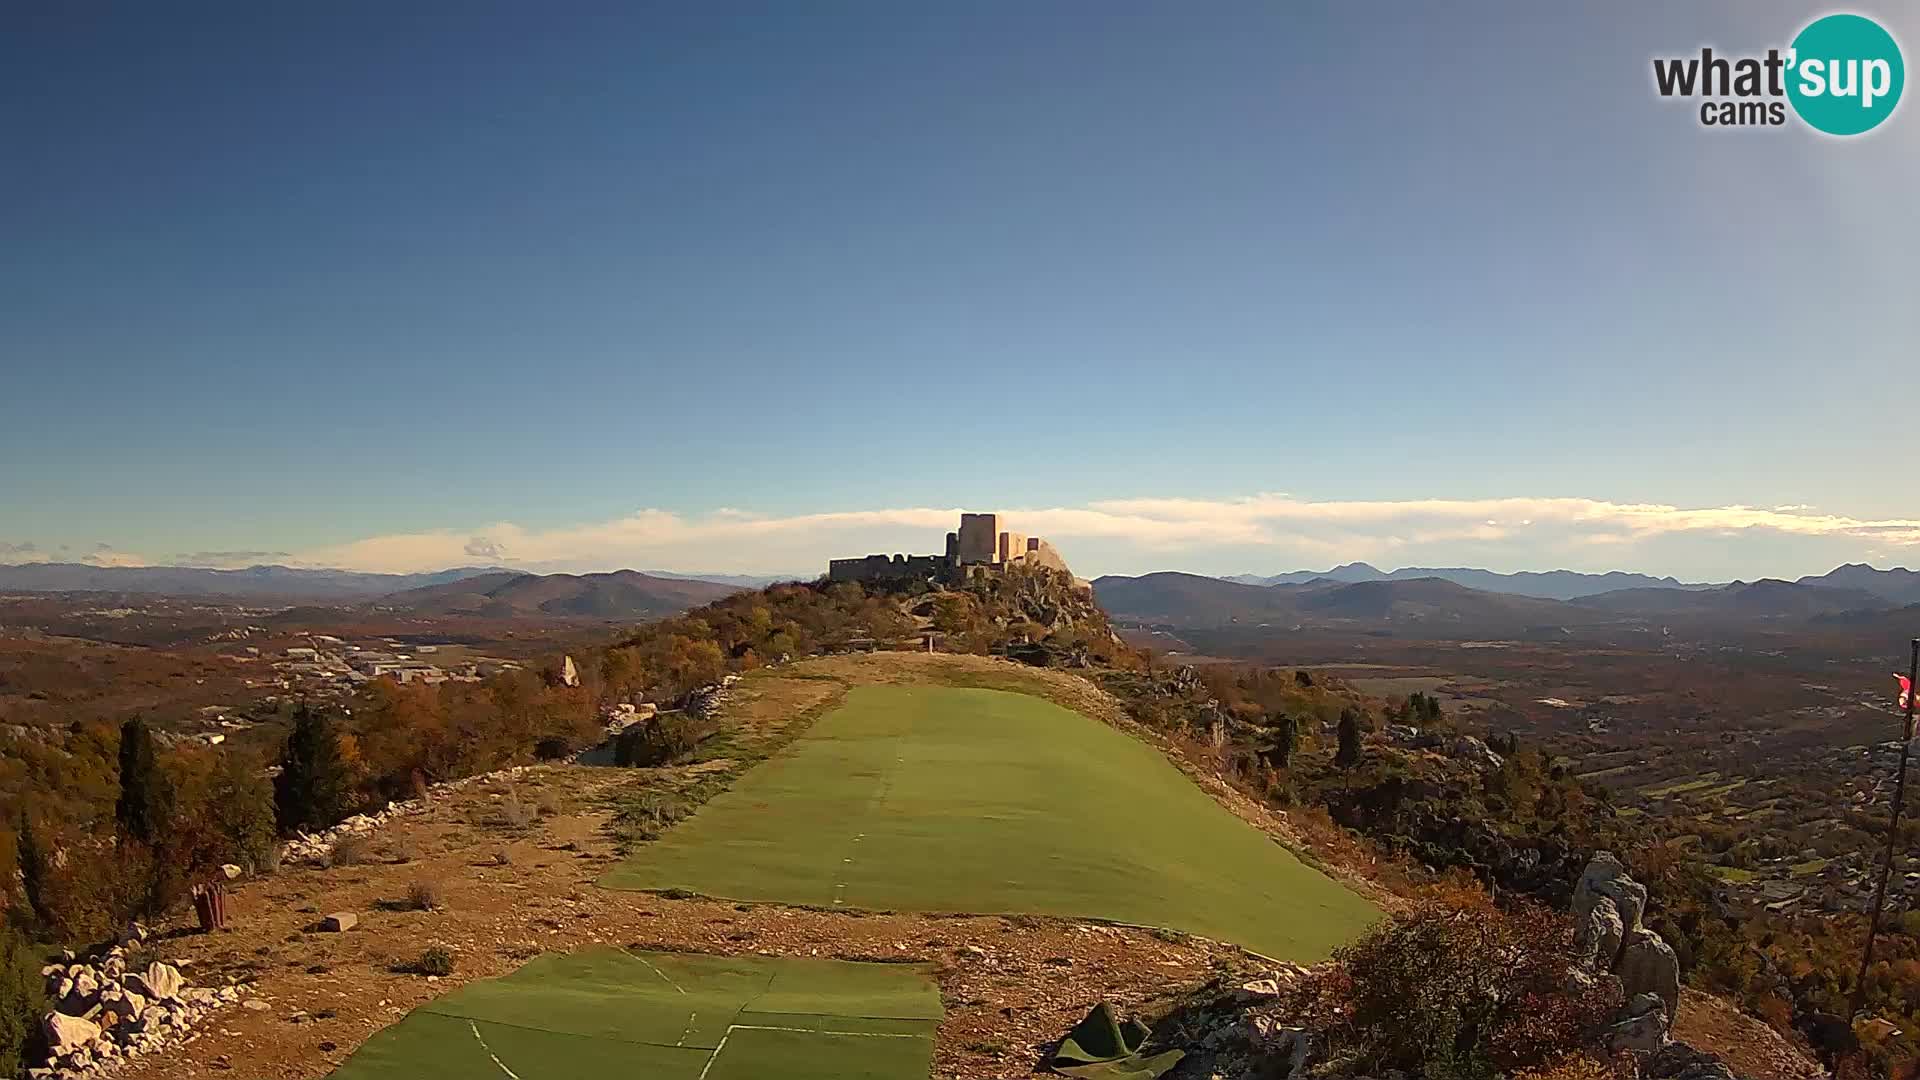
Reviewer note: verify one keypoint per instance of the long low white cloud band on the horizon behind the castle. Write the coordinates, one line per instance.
(1141, 531)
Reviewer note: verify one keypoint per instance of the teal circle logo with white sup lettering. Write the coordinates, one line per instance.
(1846, 74)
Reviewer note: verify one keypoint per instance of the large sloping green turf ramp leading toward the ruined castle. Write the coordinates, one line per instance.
(936, 798)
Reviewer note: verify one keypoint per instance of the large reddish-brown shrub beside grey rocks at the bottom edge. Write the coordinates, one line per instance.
(1458, 991)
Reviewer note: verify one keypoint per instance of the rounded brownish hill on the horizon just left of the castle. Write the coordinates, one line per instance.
(619, 595)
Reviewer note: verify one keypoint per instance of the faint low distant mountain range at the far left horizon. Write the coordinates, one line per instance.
(262, 583)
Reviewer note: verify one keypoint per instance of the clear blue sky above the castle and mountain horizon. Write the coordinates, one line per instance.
(613, 285)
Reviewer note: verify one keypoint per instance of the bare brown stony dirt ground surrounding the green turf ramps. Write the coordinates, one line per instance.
(510, 893)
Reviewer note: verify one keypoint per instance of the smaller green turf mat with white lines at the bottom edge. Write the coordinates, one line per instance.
(667, 1016)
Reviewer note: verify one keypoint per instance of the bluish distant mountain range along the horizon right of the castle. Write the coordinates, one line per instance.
(1441, 602)
